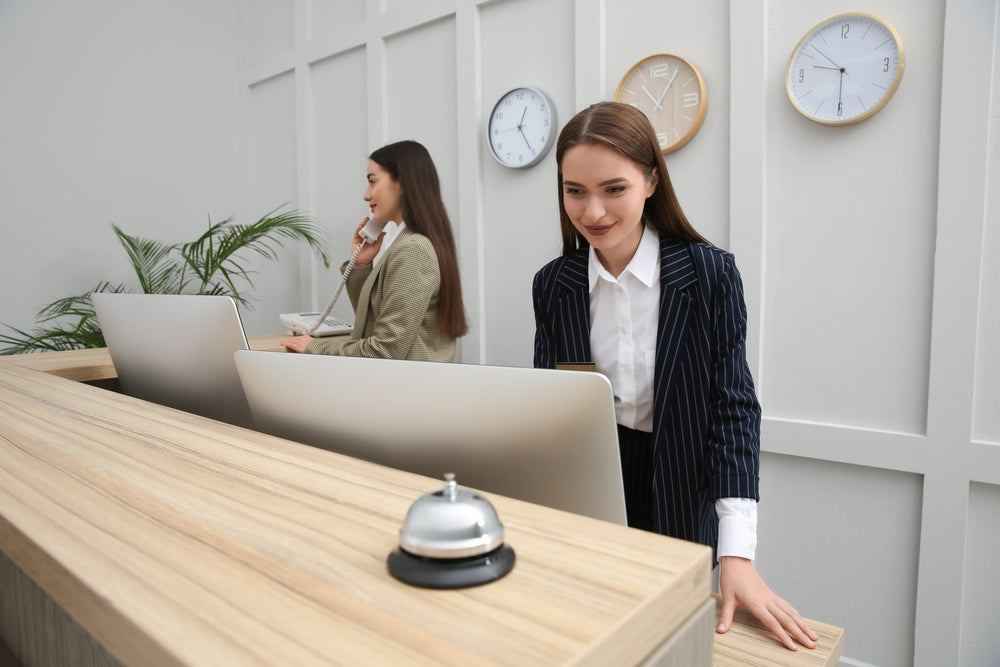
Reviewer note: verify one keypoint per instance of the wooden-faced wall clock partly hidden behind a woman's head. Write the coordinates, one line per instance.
(671, 92)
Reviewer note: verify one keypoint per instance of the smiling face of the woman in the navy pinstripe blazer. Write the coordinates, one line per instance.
(604, 194)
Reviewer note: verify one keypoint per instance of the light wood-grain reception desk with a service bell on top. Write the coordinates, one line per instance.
(143, 535)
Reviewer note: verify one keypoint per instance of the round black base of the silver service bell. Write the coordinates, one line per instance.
(451, 572)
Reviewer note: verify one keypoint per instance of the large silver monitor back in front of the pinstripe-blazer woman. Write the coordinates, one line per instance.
(544, 436)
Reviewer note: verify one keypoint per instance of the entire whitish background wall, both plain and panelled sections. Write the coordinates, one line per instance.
(869, 253)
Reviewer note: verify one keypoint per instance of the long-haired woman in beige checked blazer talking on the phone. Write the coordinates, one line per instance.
(408, 304)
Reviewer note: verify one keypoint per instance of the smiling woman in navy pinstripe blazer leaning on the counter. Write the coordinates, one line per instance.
(639, 293)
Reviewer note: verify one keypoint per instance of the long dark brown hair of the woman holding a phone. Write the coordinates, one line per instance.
(410, 165)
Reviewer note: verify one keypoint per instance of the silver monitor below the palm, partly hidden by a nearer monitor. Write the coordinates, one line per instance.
(177, 350)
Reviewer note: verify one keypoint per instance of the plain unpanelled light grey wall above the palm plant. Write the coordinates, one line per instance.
(113, 111)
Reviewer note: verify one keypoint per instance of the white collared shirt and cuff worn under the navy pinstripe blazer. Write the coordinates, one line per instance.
(624, 313)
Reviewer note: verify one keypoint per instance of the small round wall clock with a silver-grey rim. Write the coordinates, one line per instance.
(522, 127)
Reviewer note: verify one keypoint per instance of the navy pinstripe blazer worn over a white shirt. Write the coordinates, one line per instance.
(706, 419)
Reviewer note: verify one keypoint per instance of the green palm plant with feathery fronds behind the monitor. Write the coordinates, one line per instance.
(214, 263)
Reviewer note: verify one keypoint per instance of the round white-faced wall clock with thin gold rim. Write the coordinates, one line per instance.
(845, 69)
